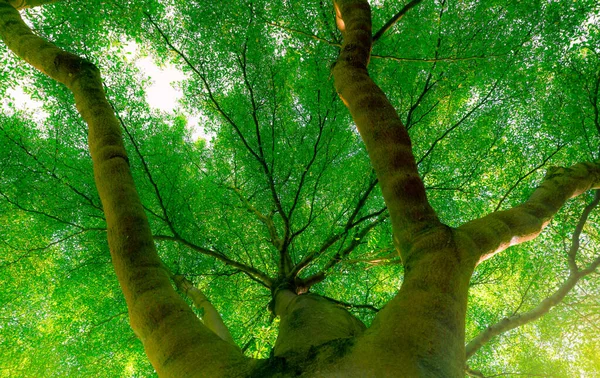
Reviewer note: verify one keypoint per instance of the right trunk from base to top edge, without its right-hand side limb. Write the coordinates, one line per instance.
(421, 331)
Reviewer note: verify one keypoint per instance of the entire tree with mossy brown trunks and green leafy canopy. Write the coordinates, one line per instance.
(284, 198)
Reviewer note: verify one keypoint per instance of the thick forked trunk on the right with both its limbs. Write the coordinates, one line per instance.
(421, 331)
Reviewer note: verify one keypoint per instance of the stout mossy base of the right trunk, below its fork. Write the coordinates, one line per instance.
(420, 333)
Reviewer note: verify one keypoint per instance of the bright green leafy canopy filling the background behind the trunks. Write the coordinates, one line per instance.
(492, 92)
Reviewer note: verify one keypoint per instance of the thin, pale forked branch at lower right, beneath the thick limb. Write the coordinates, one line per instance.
(547, 304)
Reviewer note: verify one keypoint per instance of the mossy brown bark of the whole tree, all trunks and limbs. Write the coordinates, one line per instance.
(419, 333)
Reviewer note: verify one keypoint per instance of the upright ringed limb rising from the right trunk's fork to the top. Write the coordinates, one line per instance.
(384, 135)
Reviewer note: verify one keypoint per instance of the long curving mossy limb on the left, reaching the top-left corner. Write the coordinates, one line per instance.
(176, 342)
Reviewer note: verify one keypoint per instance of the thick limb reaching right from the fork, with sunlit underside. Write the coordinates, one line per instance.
(501, 229)
